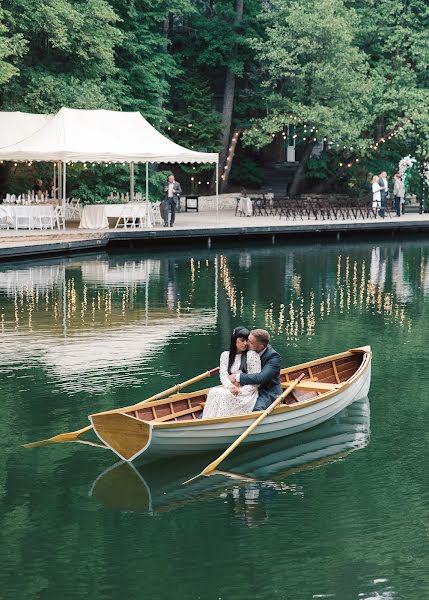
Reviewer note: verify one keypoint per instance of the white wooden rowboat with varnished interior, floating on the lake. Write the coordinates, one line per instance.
(171, 426)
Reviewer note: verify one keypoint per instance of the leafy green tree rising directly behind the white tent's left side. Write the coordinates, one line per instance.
(69, 58)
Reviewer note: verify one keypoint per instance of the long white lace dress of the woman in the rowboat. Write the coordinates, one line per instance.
(220, 401)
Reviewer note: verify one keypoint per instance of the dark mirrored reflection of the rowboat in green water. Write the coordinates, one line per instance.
(254, 472)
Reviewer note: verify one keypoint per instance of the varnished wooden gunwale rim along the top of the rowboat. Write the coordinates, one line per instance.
(285, 407)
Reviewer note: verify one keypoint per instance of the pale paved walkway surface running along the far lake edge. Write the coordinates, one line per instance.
(195, 225)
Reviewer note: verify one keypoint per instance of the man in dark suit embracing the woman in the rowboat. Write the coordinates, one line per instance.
(268, 379)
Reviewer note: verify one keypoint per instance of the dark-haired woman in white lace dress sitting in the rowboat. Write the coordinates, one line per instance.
(229, 399)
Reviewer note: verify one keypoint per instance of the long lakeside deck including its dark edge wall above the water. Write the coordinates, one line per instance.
(205, 228)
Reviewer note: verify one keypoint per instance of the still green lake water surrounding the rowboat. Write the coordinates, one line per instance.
(340, 511)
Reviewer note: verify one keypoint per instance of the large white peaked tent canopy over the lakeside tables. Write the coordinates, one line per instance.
(99, 136)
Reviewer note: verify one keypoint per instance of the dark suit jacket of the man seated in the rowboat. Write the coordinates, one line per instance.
(268, 379)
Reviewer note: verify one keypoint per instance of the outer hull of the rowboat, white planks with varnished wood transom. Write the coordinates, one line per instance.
(132, 439)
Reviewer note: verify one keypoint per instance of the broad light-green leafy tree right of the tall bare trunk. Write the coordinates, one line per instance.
(313, 71)
